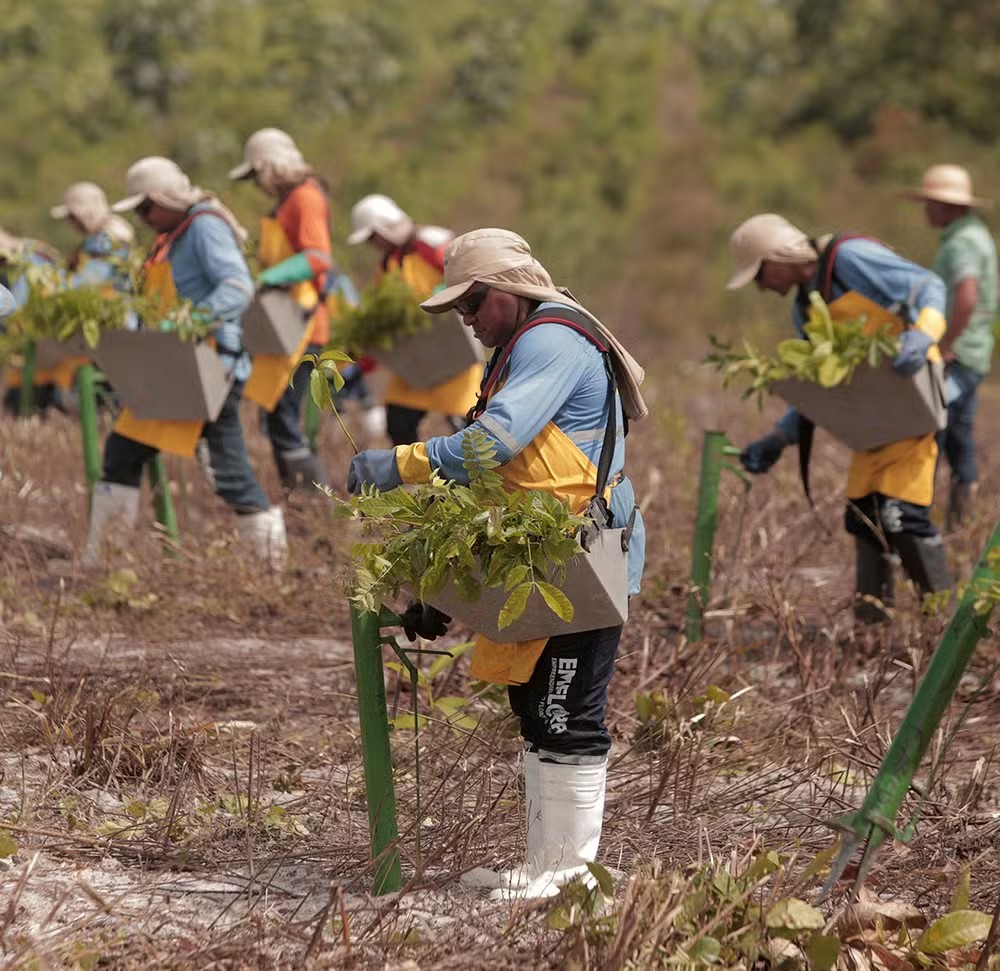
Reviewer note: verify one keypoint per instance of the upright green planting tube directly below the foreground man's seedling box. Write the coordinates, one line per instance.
(374, 718)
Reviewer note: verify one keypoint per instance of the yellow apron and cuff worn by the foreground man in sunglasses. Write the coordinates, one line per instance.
(550, 463)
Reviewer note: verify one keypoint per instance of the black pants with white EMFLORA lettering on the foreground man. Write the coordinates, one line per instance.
(562, 707)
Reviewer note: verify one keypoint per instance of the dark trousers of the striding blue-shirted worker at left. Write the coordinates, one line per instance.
(231, 474)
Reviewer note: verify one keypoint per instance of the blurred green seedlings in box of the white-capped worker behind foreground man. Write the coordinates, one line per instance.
(386, 314)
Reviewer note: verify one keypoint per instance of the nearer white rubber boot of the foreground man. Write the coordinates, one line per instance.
(572, 816)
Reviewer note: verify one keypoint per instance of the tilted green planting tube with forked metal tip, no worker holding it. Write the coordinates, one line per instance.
(875, 820)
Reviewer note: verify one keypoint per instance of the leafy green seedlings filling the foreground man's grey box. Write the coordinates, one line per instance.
(476, 535)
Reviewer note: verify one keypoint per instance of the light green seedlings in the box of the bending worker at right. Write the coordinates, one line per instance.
(828, 355)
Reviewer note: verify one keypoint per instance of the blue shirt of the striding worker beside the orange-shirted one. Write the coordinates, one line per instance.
(209, 270)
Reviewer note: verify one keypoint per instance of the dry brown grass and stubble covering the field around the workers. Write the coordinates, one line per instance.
(181, 770)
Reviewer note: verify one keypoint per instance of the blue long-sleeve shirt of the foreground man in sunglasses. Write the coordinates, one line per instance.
(553, 374)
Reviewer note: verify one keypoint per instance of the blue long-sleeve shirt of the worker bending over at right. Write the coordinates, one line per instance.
(871, 269)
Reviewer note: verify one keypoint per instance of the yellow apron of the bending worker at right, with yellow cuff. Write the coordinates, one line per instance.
(905, 469)
